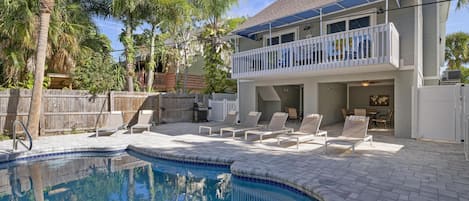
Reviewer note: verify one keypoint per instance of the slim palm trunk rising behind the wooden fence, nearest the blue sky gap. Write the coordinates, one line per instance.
(129, 56)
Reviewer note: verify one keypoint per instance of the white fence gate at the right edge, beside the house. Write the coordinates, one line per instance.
(443, 114)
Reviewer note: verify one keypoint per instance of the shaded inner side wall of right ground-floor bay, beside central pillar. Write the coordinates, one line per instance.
(332, 98)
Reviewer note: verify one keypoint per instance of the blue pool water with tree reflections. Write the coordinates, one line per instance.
(130, 176)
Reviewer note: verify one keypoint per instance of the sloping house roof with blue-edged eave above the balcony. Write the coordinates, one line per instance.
(283, 12)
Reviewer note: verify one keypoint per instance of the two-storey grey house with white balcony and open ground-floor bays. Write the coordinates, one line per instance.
(320, 56)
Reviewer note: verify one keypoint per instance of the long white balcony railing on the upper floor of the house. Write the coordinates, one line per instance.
(367, 46)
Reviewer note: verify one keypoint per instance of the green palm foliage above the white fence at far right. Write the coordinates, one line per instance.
(457, 50)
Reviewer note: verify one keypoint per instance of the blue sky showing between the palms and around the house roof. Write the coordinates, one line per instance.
(457, 20)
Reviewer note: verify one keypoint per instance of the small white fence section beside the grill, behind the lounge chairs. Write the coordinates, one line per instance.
(220, 108)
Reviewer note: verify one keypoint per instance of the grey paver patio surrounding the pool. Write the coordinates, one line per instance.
(391, 169)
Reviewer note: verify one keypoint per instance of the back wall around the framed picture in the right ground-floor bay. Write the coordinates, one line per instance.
(359, 97)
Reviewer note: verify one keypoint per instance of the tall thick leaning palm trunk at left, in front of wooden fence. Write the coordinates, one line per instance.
(36, 97)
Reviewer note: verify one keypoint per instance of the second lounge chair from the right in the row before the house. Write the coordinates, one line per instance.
(308, 130)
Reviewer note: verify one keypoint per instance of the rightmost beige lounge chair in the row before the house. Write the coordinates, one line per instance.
(355, 131)
